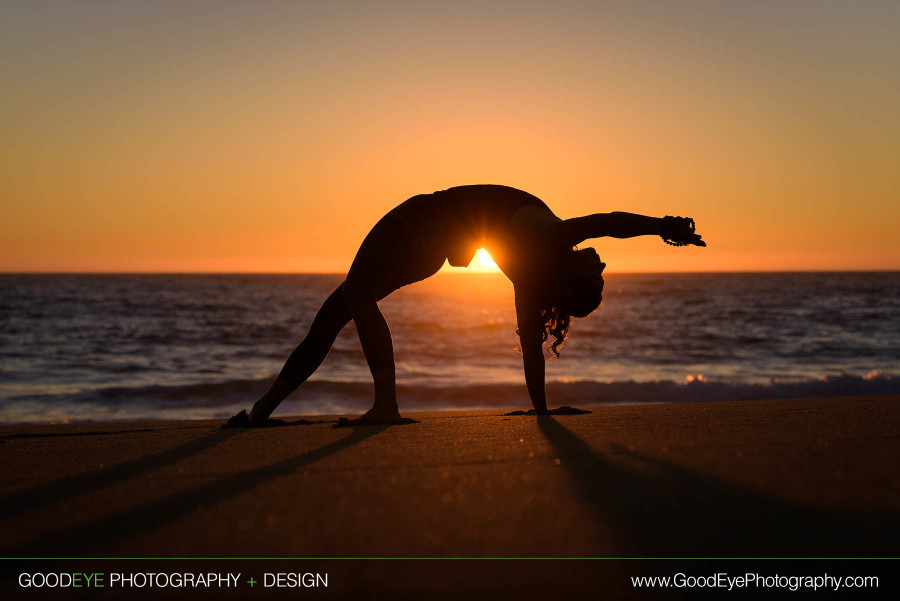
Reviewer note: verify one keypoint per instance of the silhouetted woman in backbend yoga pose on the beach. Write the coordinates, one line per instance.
(534, 248)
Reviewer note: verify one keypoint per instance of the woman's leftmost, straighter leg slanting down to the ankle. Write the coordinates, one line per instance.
(307, 357)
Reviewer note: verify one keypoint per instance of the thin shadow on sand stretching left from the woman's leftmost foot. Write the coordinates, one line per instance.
(46, 494)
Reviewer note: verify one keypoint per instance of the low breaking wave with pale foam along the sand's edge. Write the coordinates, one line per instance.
(328, 396)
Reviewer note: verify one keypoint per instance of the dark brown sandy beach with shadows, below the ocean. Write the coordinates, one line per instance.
(787, 478)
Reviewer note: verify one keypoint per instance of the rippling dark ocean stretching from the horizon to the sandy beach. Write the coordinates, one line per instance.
(141, 347)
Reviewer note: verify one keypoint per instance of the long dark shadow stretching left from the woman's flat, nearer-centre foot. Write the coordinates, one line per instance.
(83, 539)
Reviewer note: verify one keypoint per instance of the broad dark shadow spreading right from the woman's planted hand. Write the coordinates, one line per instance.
(660, 509)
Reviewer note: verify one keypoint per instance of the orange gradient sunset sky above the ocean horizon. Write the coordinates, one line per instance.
(270, 136)
